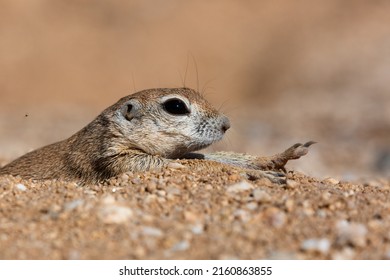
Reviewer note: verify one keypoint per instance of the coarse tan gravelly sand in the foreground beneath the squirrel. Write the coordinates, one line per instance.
(184, 214)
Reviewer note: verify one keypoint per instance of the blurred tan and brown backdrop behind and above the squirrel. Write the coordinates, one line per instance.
(283, 71)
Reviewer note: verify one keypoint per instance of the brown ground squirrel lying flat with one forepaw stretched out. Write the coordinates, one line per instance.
(147, 130)
